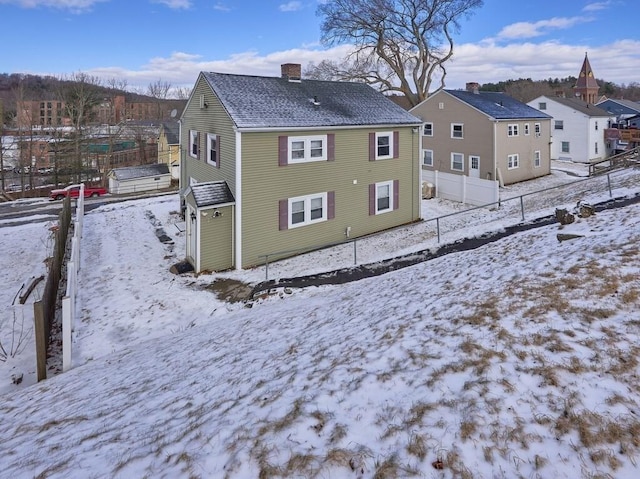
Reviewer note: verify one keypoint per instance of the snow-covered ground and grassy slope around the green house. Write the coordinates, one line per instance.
(518, 359)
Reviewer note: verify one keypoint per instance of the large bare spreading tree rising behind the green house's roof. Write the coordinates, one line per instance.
(400, 45)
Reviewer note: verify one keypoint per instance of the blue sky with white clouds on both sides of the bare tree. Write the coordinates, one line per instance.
(146, 40)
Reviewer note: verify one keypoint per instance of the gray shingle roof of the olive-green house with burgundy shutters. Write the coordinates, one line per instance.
(272, 102)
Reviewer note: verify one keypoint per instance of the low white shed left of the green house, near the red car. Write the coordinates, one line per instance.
(133, 179)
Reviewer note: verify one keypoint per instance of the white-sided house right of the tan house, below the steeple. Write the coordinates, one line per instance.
(577, 128)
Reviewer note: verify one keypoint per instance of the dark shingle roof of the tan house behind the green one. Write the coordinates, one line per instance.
(498, 105)
